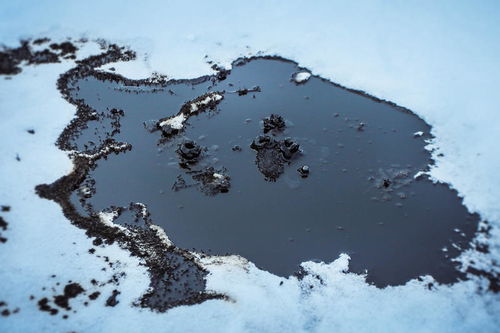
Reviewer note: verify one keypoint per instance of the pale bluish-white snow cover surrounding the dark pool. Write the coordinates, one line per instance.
(437, 59)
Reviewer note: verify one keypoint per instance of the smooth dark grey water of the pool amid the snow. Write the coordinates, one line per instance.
(396, 232)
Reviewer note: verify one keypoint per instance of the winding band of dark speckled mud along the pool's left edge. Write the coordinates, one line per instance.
(167, 264)
